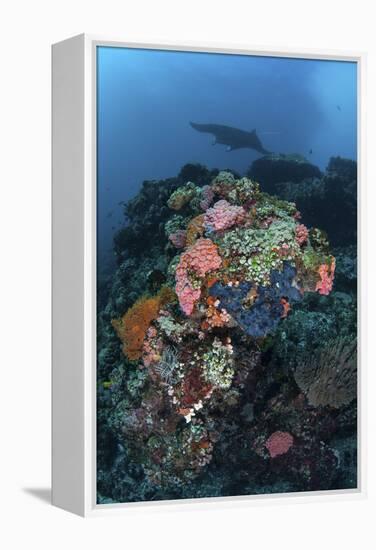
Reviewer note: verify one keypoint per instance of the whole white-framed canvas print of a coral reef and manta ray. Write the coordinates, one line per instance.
(206, 311)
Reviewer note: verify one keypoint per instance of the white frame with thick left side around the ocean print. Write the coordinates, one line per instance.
(74, 276)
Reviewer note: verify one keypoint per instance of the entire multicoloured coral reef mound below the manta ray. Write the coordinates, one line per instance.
(227, 341)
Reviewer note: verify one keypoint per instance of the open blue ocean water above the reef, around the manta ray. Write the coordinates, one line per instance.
(146, 99)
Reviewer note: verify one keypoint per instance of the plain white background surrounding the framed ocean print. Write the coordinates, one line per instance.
(27, 28)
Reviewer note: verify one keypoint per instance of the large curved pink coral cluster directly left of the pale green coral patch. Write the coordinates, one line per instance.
(198, 260)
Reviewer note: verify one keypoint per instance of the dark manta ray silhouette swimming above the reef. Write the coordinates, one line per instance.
(232, 137)
